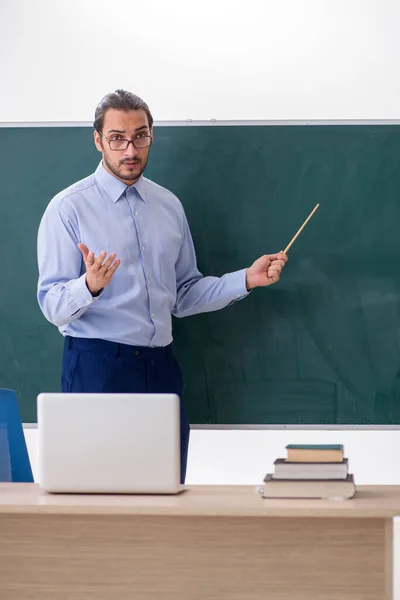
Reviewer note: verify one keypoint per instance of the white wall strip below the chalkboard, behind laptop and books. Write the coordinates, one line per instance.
(243, 457)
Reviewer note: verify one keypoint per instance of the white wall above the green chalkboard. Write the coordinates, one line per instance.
(224, 59)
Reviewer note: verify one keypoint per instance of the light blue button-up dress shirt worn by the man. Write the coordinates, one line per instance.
(145, 225)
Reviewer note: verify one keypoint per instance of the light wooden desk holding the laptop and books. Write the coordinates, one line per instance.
(209, 543)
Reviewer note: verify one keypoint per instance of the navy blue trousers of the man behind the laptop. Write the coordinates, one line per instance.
(99, 366)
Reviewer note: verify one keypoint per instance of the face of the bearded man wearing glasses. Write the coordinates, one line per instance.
(127, 165)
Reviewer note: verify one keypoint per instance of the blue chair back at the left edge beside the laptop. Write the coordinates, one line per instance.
(14, 458)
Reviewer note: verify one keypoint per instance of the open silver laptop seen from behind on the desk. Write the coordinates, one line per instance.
(109, 443)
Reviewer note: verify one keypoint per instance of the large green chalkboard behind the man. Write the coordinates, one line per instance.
(322, 346)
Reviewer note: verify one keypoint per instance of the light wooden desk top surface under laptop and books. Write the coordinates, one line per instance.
(230, 501)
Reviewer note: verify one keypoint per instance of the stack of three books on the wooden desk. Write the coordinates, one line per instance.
(310, 471)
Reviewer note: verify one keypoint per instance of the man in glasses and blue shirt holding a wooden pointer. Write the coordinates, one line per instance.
(116, 260)
